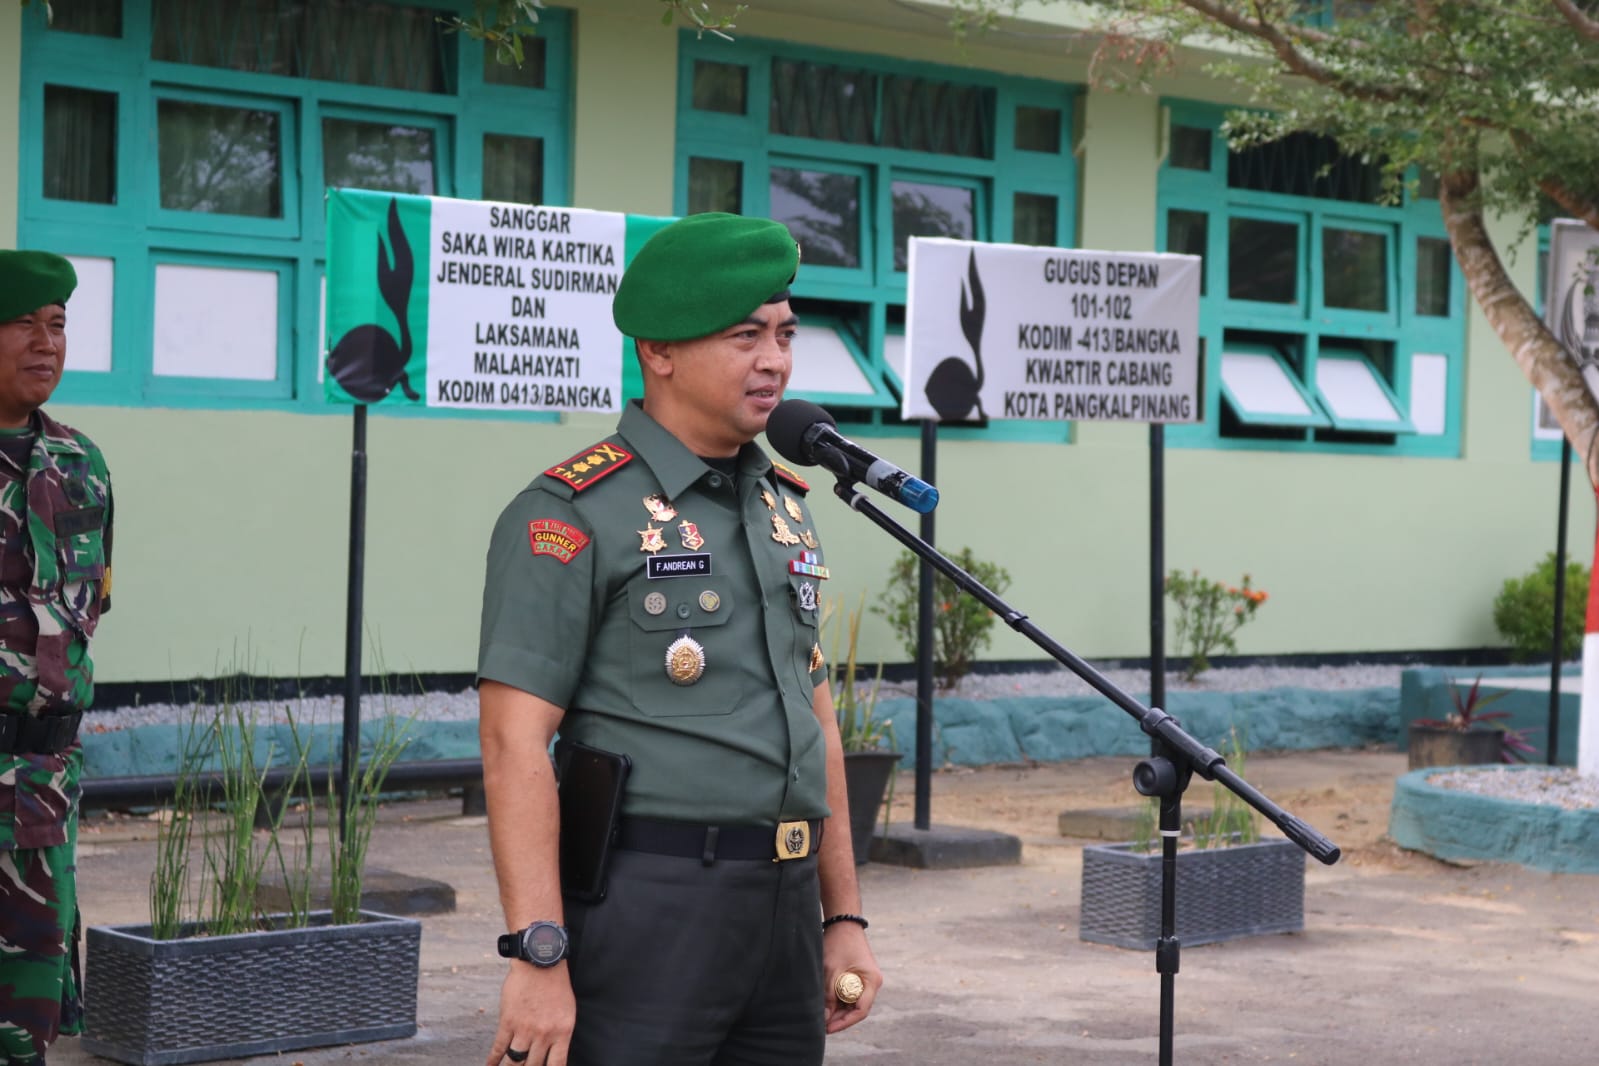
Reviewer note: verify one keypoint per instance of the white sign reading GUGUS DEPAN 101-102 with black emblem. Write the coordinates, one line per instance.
(1011, 332)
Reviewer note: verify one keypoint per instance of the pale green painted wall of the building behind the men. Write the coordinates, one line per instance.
(233, 527)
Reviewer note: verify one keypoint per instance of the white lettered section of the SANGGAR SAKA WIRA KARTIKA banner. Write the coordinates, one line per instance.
(519, 308)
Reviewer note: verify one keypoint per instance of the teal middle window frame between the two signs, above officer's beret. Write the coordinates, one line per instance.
(879, 290)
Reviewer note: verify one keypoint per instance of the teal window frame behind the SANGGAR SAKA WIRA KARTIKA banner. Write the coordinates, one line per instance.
(137, 234)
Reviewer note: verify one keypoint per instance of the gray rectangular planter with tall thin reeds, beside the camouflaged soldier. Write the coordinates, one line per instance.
(212, 977)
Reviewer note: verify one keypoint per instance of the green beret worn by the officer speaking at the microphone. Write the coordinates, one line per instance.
(704, 274)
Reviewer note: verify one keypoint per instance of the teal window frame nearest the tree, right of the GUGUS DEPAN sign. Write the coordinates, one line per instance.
(1310, 324)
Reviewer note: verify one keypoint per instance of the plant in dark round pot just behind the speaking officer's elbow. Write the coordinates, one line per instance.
(867, 741)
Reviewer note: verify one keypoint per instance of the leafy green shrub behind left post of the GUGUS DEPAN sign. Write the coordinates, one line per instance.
(962, 627)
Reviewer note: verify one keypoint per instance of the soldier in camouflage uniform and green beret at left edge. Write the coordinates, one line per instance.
(55, 583)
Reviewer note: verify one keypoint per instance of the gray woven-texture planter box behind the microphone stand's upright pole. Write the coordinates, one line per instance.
(1222, 894)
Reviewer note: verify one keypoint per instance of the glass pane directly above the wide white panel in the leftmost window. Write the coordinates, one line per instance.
(221, 161)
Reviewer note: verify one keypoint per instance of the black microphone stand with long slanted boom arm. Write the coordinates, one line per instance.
(1176, 757)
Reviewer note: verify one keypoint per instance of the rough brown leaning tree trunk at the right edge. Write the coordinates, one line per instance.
(1539, 356)
